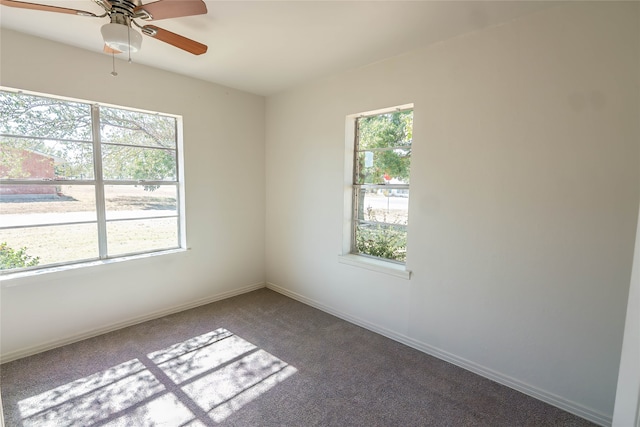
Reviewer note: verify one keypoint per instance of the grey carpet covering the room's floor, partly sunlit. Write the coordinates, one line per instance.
(259, 359)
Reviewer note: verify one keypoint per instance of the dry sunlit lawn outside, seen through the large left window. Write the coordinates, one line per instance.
(64, 243)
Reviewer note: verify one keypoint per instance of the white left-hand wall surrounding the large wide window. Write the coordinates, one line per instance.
(224, 168)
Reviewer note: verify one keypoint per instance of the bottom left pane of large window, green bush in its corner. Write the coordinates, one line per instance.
(43, 246)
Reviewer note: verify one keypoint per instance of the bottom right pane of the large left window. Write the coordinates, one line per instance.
(125, 237)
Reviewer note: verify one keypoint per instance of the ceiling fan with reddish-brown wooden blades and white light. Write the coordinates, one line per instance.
(119, 35)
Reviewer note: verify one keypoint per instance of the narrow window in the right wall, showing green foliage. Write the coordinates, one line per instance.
(381, 164)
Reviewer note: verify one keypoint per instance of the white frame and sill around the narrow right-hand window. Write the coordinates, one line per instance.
(346, 255)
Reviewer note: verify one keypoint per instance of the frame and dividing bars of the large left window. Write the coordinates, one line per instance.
(99, 183)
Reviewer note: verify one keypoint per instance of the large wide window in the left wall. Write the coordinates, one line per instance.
(82, 181)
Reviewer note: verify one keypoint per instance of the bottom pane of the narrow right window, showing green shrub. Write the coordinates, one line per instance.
(384, 241)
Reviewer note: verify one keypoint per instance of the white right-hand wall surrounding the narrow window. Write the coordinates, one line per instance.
(524, 199)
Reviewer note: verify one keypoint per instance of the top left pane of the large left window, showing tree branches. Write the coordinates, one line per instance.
(28, 115)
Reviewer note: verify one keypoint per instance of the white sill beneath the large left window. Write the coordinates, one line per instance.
(24, 277)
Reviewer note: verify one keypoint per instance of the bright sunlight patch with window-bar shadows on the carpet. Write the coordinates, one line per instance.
(214, 374)
